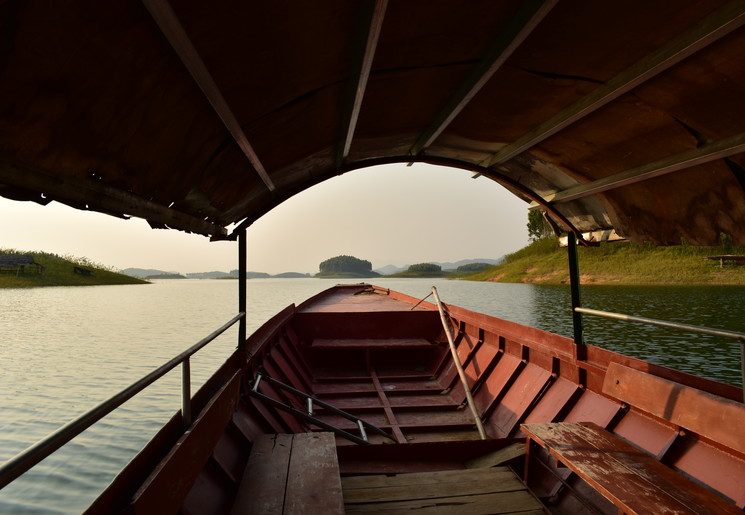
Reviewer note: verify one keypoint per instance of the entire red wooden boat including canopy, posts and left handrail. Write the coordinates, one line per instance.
(619, 120)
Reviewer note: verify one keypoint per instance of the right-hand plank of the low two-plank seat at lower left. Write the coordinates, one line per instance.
(313, 483)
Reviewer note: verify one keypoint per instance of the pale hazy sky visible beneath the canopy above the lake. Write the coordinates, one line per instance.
(391, 214)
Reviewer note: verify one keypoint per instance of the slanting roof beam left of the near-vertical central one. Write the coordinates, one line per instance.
(172, 29)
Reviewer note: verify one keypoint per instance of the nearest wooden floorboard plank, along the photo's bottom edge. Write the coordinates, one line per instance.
(521, 502)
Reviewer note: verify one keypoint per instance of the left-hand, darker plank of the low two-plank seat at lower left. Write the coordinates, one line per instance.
(262, 489)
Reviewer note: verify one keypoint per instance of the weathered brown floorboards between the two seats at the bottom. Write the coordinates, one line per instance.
(466, 492)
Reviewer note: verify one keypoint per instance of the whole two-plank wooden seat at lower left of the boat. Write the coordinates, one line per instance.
(291, 474)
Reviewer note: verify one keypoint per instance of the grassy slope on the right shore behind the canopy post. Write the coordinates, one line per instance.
(544, 262)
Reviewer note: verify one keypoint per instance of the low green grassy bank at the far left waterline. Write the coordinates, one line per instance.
(60, 271)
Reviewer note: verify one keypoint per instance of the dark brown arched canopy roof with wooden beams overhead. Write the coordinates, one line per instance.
(198, 115)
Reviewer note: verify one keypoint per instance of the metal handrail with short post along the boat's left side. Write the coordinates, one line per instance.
(25, 460)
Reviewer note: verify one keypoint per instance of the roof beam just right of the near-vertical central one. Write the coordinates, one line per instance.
(531, 13)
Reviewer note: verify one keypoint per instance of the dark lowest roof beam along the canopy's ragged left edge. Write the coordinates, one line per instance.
(107, 199)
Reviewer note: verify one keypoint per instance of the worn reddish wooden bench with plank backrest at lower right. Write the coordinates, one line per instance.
(632, 479)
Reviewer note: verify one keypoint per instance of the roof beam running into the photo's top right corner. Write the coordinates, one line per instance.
(710, 29)
